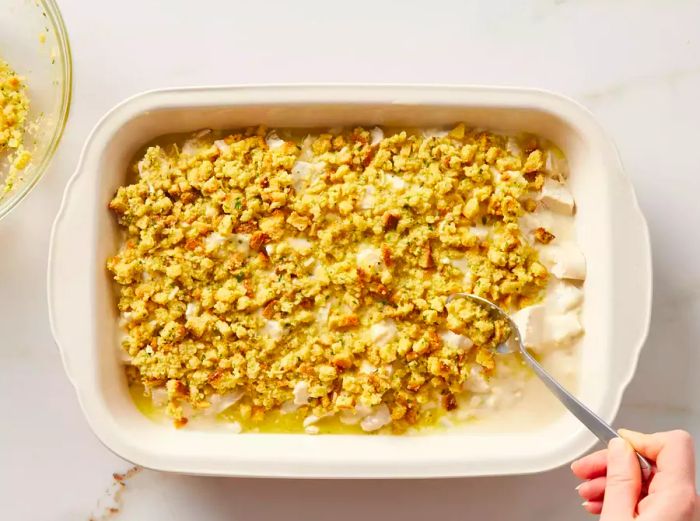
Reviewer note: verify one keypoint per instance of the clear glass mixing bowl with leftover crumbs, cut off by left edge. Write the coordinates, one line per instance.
(34, 42)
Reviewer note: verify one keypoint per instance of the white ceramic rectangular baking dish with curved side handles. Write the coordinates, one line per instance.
(610, 227)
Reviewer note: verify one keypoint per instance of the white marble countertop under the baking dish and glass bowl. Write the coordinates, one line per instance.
(635, 65)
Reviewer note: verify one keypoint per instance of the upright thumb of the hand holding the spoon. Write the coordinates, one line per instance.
(623, 482)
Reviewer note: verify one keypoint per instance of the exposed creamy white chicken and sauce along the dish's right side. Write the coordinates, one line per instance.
(552, 328)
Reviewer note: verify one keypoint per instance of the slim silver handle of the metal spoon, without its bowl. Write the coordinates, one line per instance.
(590, 419)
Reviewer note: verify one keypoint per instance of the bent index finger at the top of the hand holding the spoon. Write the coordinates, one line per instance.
(672, 451)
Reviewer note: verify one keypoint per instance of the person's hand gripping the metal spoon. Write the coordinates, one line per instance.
(613, 484)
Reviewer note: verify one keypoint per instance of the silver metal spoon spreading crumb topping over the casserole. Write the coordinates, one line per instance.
(591, 420)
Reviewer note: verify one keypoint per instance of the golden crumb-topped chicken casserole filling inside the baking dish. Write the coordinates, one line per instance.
(287, 281)
